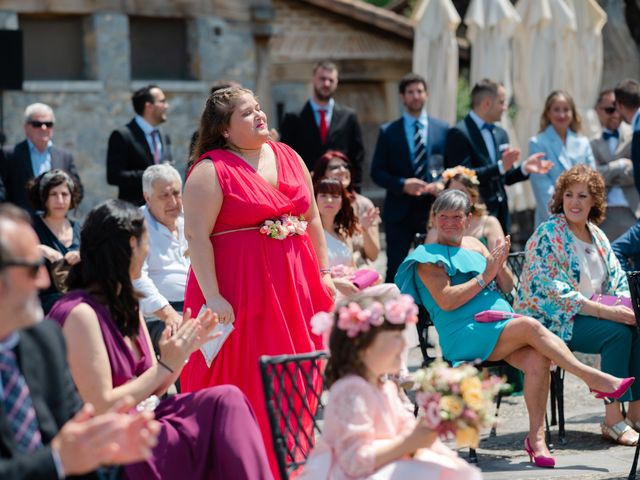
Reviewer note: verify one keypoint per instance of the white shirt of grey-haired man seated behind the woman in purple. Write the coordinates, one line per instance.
(164, 273)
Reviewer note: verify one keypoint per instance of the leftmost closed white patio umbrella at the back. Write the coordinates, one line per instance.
(435, 55)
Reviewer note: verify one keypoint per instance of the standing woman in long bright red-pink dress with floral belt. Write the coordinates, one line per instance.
(267, 281)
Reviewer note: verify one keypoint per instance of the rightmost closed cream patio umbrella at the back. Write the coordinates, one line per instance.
(585, 80)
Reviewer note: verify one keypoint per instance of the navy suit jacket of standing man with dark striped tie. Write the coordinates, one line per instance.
(392, 164)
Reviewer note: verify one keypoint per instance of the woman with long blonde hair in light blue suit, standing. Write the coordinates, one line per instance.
(561, 141)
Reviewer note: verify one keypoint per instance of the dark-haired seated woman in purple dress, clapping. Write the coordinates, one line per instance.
(208, 434)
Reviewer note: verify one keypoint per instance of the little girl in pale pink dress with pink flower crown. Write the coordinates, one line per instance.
(367, 433)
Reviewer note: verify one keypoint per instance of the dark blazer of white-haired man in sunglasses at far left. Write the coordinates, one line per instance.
(16, 170)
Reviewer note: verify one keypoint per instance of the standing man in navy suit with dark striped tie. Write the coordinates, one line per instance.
(409, 151)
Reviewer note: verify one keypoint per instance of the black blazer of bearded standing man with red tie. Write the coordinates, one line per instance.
(300, 131)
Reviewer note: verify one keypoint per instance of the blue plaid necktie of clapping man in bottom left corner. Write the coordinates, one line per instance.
(18, 406)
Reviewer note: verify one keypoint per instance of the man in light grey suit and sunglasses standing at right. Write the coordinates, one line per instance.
(612, 152)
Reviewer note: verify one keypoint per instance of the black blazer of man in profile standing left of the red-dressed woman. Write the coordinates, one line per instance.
(128, 155)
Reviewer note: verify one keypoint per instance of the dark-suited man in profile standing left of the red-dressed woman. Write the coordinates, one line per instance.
(138, 144)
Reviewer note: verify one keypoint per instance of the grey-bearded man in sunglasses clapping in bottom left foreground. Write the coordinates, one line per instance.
(44, 432)
